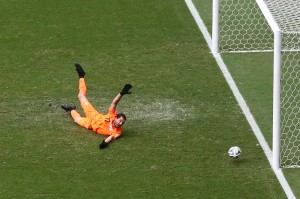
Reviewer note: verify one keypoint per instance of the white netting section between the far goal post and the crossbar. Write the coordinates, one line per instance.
(243, 27)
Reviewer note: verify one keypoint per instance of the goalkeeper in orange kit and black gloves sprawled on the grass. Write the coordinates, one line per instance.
(107, 125)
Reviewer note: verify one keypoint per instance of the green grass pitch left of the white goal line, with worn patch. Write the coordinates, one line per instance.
(182, 117)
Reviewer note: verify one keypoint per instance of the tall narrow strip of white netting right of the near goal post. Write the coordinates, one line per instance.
(290, 101)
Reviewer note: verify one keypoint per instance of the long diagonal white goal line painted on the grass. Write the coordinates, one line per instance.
(242, 103)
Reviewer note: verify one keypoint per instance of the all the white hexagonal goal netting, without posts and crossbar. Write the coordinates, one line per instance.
(243, 28)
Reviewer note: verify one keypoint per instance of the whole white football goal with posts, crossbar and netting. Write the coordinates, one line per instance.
(268, 26)
